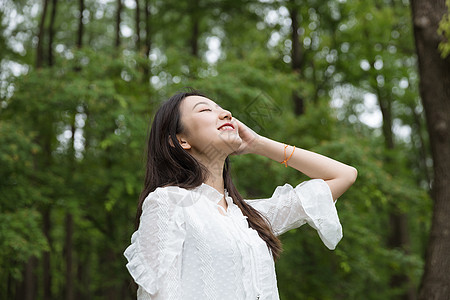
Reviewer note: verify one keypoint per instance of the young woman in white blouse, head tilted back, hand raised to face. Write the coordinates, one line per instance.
(196, 237)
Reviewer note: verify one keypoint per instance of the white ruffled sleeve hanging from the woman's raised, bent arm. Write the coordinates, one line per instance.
(309, 202)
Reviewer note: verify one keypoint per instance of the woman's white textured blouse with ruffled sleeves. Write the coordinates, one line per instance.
(185, 248)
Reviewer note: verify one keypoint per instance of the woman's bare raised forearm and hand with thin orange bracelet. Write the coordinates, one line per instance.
(337, 175)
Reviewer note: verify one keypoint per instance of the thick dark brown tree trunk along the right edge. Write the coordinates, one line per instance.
(435, 93)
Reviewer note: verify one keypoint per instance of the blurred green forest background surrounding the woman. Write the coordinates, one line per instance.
(81, 79)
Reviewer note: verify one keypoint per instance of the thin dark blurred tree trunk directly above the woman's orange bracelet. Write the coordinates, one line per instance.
(296, 58)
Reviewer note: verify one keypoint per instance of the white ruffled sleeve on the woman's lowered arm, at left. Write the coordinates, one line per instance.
(154, 256)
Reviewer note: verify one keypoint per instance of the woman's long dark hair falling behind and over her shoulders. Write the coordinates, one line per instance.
(169, 164)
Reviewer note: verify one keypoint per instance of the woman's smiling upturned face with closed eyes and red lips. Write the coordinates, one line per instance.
(209, 130)
